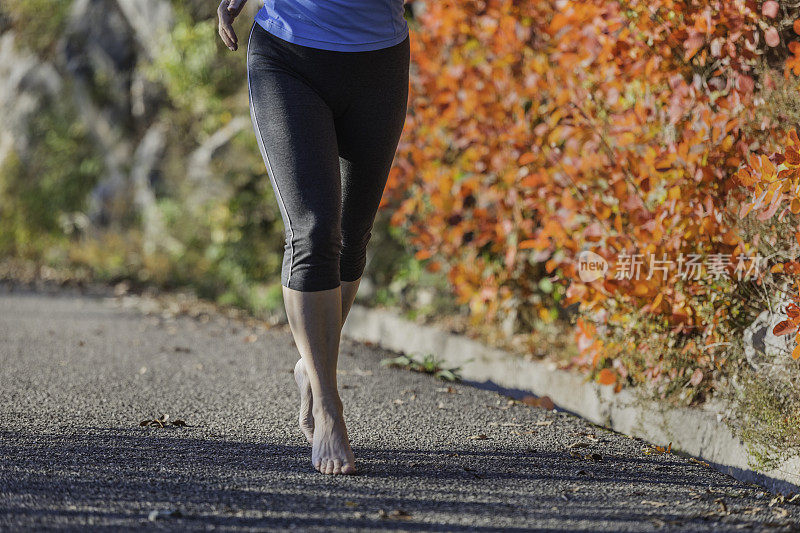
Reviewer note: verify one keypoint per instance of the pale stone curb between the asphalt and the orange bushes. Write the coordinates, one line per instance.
(696, 432)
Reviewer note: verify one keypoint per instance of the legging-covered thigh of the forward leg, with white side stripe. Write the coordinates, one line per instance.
(297, 138)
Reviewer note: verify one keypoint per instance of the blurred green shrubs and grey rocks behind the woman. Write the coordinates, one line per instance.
(128, 154)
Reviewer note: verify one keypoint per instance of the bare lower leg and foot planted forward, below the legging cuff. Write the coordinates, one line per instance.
(315, 320)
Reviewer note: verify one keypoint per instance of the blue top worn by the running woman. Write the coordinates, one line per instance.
(343, 25)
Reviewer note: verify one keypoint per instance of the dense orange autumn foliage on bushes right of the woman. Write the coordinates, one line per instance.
(539, 129)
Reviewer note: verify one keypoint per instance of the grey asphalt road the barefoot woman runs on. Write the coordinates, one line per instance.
(78, 374)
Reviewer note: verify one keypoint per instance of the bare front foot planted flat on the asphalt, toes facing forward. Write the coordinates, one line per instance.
(330, 451)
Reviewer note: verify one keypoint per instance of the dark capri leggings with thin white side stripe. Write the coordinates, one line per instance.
(328, 124)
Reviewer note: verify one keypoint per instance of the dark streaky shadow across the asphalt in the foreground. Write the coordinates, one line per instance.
(117, 477)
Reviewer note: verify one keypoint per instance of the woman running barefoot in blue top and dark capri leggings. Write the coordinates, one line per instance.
(328, 84)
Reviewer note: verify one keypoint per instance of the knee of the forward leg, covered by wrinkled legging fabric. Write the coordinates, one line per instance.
(314, 254)
